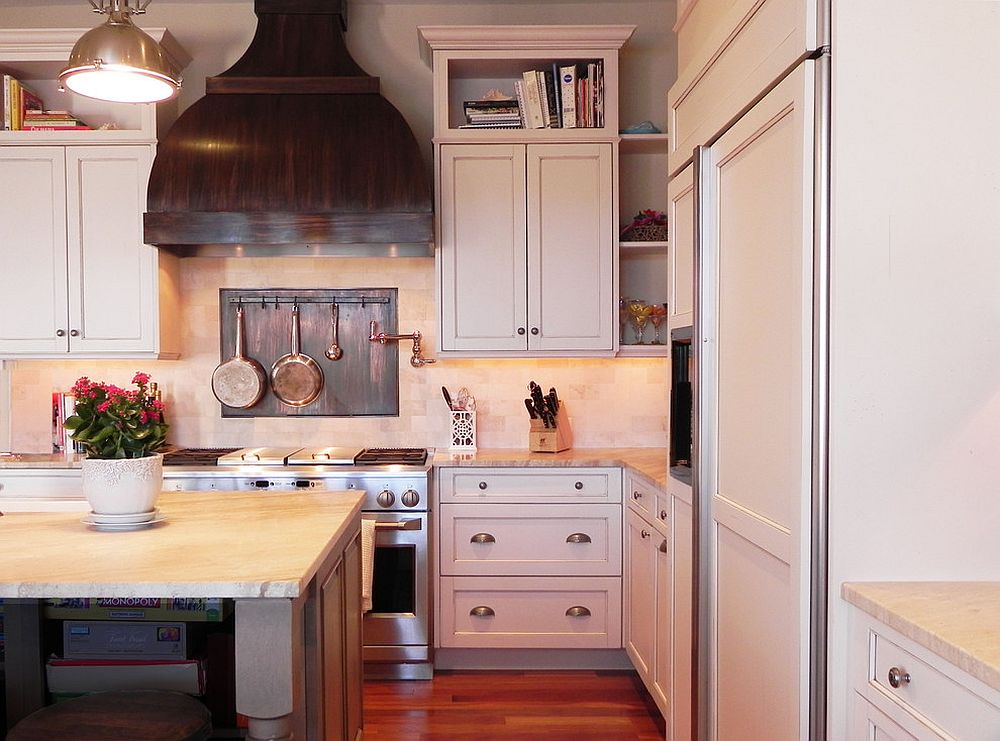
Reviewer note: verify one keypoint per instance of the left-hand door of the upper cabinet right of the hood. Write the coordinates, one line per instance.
(481, 210)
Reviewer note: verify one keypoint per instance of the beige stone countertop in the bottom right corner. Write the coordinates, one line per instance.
(958, 621)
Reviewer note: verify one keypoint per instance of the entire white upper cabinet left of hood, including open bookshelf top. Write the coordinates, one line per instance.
(75, 276)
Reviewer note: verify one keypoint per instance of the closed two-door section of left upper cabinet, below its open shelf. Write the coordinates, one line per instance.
(77, 278)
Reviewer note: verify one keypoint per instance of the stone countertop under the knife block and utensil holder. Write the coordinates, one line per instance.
(650, 463)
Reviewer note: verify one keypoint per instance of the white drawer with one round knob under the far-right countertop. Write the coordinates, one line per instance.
(930, 693)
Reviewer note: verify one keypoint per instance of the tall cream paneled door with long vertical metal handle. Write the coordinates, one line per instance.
(755, 466)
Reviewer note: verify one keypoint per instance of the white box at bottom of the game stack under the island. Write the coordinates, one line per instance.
(65, 676)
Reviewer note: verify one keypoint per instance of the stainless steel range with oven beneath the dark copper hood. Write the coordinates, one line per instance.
(396, 482)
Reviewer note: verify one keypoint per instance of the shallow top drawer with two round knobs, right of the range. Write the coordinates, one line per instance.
(530, 485)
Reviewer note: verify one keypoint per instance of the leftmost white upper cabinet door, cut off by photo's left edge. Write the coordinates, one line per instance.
(33, 307)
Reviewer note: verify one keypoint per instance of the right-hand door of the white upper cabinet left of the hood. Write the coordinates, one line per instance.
(112, 274)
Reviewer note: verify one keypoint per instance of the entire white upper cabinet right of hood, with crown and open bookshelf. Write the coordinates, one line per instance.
(527, 218)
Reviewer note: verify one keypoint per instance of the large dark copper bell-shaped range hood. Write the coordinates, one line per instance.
(291, 151)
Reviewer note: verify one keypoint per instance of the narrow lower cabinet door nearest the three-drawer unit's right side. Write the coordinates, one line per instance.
(640, 594)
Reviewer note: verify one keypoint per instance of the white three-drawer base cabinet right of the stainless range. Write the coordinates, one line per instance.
(529, 558)
